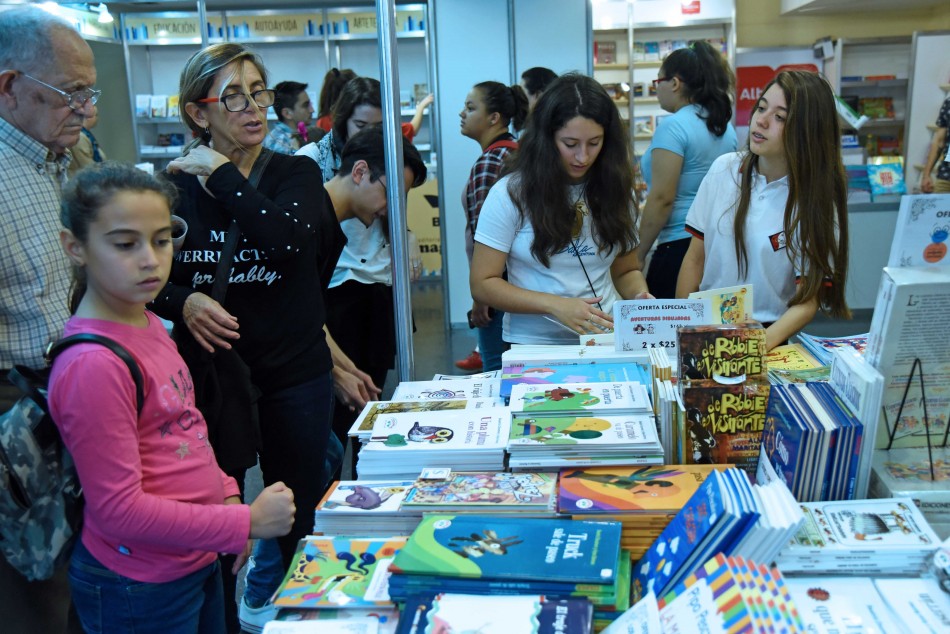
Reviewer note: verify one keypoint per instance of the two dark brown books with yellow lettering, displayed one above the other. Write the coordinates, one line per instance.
(725, 389)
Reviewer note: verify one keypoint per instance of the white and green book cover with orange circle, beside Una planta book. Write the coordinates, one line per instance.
(633, 429)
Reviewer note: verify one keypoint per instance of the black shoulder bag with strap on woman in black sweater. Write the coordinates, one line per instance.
(224, 392)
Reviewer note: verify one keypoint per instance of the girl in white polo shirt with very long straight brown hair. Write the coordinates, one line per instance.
(776, 215)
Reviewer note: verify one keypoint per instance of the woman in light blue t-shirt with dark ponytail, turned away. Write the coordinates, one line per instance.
(696, 85)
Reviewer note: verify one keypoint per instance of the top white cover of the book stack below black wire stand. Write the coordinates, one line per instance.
(863, 525)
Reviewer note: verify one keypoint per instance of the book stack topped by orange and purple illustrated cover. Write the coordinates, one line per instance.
(643, 499)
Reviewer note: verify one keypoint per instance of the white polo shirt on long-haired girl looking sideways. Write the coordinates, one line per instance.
(711, 218)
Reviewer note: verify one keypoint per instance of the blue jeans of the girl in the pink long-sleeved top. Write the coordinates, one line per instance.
(108, 602)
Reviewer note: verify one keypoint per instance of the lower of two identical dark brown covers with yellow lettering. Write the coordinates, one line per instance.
(723, 423)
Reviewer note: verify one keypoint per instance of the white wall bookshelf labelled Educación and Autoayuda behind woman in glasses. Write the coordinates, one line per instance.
(298, 45)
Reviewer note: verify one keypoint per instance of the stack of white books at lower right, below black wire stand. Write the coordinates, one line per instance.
(860, 537)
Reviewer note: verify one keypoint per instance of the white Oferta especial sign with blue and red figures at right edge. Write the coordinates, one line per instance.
(920, 235)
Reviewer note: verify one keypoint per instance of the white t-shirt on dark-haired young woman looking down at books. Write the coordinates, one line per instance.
(500, 227)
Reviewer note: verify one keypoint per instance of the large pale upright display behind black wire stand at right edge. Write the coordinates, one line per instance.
(907, 345)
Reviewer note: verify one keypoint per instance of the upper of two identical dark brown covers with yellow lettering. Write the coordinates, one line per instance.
(728, 354)
